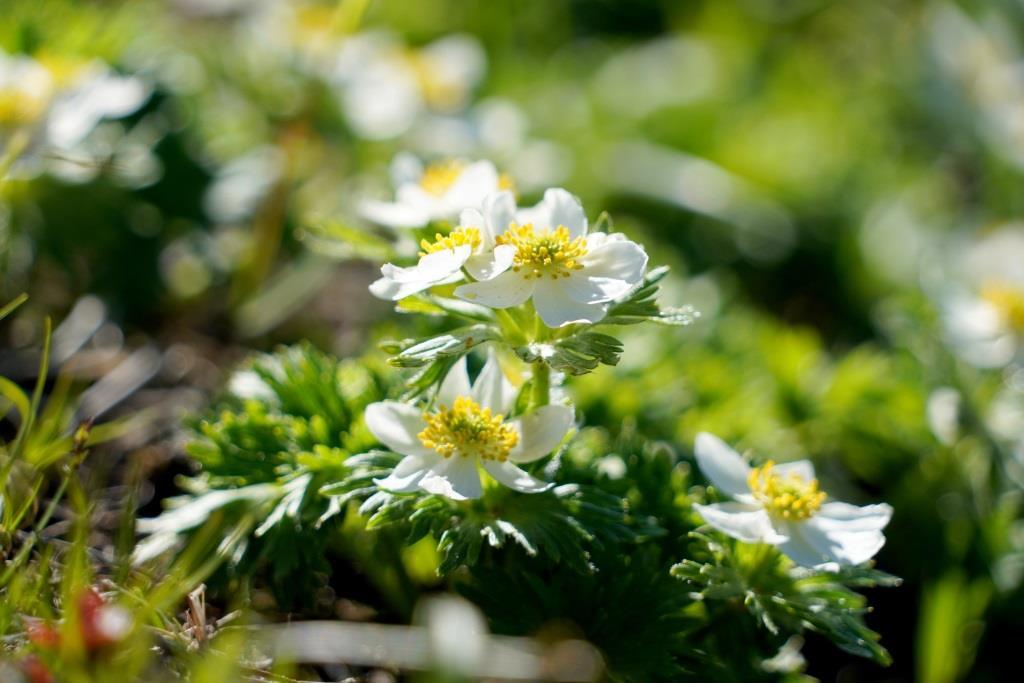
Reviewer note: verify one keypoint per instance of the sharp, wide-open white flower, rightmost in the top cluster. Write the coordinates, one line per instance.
(548, 255)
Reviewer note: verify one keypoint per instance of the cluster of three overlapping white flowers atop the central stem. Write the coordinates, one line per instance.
(503, 255)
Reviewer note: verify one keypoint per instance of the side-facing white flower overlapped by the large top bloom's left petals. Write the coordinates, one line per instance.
(471, 246)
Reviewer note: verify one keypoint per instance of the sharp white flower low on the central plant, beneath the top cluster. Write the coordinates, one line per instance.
(468, 429)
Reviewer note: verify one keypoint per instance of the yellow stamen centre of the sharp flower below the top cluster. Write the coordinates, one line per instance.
(468, 431)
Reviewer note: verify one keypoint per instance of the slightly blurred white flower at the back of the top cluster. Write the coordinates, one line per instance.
(438, 192)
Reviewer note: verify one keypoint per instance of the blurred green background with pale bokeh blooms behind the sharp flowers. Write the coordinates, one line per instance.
(822, 177)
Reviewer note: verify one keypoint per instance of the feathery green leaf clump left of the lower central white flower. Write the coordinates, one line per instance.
(285, 429)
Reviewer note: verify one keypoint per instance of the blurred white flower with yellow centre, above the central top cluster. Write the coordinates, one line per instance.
(385, 87)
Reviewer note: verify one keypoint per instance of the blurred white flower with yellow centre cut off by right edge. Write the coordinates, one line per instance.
(985, 321)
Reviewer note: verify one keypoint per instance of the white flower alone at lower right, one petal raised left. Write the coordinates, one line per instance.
(782, 505)
